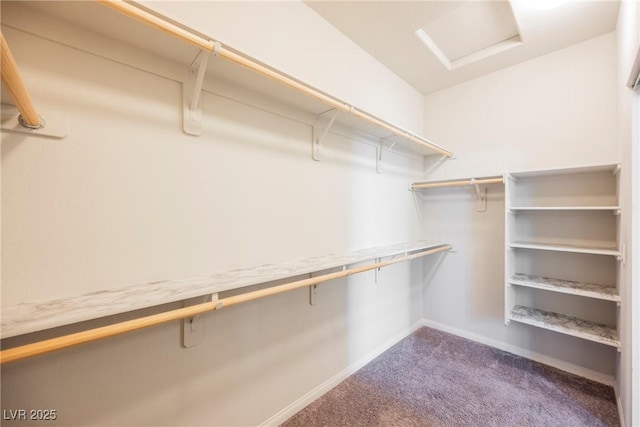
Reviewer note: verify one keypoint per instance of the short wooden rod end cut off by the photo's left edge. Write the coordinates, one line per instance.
(13, 82)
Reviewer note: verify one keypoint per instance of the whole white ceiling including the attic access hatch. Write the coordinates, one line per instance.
(390, 31)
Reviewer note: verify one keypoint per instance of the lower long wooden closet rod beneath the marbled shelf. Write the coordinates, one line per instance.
(53, 344)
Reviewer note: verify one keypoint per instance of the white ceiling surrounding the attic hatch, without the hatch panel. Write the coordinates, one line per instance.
(386, 29)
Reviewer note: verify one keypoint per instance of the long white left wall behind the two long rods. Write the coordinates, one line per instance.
(128, 198)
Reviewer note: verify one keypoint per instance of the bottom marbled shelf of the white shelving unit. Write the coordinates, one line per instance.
(566, 325)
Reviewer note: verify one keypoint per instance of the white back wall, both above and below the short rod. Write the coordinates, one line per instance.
(557, 110)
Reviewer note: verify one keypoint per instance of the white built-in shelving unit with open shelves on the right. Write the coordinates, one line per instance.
(562, 251)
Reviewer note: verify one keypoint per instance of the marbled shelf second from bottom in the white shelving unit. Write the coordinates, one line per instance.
(608, 293)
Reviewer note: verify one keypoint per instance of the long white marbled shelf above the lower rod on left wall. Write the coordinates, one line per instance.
(30, 317)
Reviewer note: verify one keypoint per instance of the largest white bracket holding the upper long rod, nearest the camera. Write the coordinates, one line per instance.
(192, 92)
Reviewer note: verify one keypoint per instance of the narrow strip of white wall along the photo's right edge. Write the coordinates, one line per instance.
(628, 375)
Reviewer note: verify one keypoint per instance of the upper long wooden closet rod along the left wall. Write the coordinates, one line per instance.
(215, 47)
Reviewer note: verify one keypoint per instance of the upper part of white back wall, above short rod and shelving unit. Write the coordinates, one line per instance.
(553, 111)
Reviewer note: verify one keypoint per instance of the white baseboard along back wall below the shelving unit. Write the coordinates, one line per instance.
(523, 352)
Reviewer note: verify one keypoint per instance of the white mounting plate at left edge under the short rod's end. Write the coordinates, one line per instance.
(56, 125)
